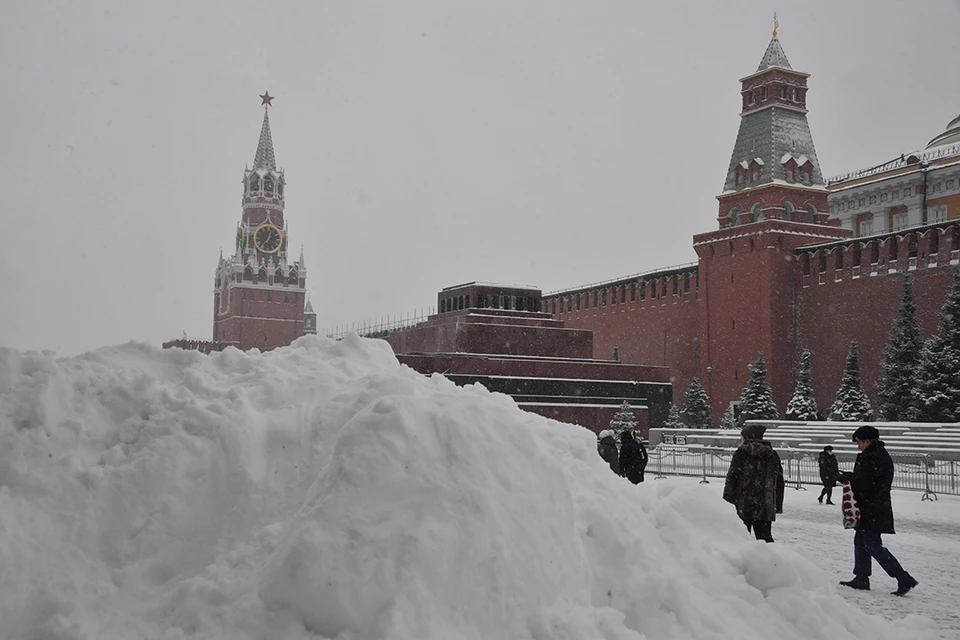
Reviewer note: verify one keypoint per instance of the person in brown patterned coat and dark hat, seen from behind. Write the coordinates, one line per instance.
(754, 483)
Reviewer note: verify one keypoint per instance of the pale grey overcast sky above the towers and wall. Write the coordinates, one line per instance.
(426, 142)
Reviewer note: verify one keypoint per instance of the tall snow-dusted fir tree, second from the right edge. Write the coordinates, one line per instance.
(900, 361)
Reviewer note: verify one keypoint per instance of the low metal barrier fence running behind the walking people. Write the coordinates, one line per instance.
(912, 472)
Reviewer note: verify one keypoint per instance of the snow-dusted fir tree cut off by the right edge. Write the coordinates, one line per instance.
(937, 394)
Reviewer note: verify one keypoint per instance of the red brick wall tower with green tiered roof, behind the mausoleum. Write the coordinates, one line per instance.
(773, 201)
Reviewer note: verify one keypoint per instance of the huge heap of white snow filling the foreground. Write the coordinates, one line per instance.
(323, 490)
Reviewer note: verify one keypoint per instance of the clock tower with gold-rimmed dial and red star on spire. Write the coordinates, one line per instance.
(260, 291)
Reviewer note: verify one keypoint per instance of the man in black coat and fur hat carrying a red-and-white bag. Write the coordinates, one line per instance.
(871, 480)
